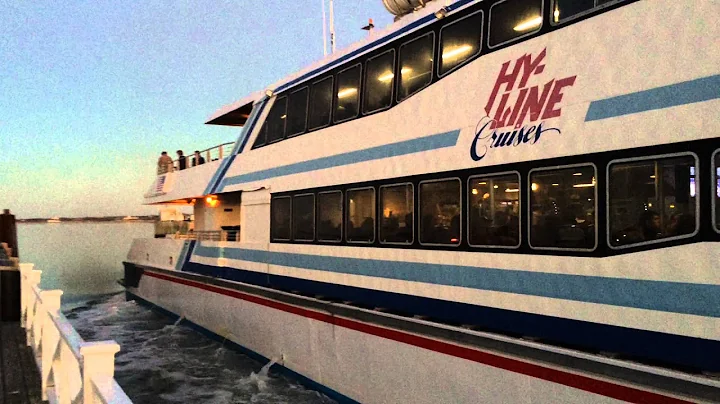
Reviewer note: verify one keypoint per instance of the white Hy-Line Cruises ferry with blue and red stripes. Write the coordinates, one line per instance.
(488, 201)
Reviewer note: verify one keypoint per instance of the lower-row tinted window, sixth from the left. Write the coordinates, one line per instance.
(440, 212)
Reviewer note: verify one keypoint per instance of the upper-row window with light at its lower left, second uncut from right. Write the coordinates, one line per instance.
(416, 61)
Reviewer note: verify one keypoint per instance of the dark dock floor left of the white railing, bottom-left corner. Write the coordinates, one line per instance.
(19, 376)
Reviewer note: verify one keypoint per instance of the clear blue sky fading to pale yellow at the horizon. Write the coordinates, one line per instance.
(91, 91)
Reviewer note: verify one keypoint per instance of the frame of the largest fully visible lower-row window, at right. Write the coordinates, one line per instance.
(646, 158)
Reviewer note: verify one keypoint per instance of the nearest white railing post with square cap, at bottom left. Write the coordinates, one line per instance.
(98, 363)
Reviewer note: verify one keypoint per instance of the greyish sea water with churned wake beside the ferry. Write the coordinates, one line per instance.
(159, 361)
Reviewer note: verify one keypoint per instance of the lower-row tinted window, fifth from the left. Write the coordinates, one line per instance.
(396, 204)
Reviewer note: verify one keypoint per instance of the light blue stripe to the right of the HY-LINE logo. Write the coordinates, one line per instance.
(687, 92)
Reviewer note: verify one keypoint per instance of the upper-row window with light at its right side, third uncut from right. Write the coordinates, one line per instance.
(379, 81)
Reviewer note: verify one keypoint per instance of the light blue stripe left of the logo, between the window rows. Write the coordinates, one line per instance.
(433, 142)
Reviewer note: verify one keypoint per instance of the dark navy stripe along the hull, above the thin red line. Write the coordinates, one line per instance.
(667, 349)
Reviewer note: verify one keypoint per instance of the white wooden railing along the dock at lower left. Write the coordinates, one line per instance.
(71, 370)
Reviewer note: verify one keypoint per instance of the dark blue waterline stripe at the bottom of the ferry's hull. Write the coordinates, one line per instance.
(309, 383)
